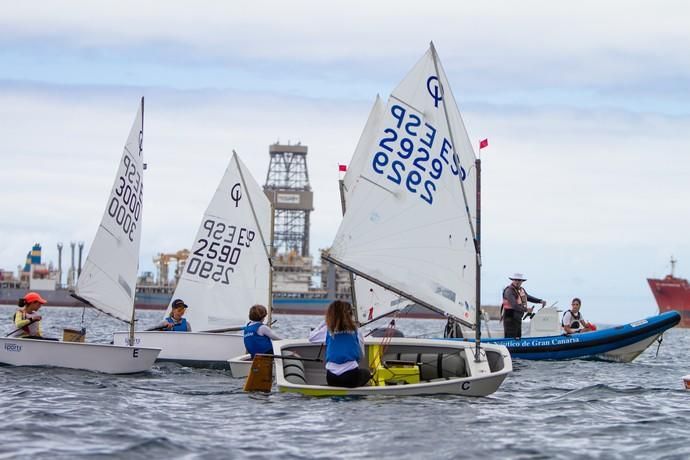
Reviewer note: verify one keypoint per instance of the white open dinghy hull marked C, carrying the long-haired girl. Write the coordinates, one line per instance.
(458, 372)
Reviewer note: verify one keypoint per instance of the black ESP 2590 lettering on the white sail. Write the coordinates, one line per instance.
(217, 251)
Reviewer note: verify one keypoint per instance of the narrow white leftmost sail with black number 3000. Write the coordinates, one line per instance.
(108, 279)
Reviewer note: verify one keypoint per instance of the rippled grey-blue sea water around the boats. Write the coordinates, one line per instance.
(567, 409)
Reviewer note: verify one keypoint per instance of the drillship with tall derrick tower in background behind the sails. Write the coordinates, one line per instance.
(287, 187)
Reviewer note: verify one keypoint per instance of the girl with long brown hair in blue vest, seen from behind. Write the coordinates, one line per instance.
(344, 347)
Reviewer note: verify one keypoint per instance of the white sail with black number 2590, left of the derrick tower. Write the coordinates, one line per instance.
(228, 268)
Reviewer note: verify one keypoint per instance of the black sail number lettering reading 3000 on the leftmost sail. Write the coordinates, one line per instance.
(125, 204)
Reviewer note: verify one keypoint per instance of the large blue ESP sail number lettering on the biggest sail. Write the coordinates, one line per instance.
(410, 154)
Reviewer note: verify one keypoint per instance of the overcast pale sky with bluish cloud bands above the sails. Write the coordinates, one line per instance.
(586, 107)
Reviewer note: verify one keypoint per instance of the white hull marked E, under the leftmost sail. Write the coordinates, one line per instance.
(108, 359)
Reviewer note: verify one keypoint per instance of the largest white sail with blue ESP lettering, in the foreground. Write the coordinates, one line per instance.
(407, 225)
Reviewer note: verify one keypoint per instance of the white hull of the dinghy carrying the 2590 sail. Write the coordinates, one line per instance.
(194, 349)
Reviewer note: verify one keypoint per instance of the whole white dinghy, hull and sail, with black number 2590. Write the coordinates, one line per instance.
(228, 271)
